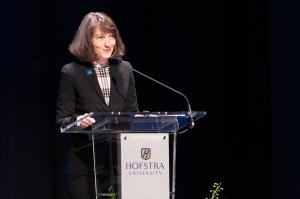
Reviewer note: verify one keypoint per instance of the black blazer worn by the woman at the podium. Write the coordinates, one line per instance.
(79, 92)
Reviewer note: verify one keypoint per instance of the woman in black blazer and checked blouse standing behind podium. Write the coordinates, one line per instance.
(98, 81)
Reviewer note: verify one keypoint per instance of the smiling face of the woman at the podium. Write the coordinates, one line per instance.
(104, 44)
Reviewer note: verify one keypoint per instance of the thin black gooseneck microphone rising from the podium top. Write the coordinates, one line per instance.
(190, 114)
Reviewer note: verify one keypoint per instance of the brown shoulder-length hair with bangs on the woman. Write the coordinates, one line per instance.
(82, 47)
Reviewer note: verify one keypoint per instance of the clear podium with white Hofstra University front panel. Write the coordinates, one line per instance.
(143, 165)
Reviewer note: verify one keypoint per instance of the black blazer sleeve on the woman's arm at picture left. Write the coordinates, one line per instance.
(65, 104)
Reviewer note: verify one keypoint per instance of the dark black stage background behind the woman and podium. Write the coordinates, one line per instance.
(237, 61)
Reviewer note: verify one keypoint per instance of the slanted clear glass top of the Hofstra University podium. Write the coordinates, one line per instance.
(130, 122)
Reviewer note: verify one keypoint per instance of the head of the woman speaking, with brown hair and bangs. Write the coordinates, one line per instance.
(97, 38)
